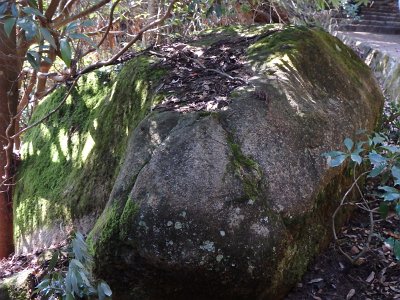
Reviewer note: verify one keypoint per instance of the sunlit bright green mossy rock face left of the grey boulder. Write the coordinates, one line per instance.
(70, 161)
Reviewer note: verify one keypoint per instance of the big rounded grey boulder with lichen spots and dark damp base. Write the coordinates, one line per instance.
(233, 203)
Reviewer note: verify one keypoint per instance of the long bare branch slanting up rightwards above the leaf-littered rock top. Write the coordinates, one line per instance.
(134, 40)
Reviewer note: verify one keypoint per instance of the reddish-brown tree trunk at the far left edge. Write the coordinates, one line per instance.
(10, 67)
